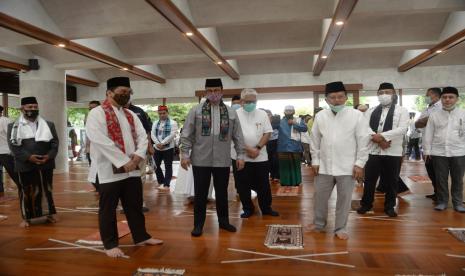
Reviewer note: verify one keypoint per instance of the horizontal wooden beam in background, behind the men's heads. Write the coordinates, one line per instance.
(284, 89)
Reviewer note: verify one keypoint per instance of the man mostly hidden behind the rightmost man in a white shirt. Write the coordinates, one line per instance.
(433, 98)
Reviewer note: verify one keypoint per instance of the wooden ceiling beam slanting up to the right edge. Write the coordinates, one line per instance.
(438, 49)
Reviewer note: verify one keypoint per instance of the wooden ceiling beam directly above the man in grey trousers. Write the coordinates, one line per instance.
(343, 10)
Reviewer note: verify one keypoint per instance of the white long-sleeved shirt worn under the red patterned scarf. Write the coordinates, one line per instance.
(104, 152)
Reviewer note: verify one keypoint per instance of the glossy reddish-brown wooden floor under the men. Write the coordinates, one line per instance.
(413, 244)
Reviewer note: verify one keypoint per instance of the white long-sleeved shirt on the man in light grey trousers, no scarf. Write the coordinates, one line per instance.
(339, 141)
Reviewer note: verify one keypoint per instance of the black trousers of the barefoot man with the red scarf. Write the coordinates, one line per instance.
(129, 190)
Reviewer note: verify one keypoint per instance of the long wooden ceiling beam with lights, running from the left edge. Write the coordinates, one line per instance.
(27, 29)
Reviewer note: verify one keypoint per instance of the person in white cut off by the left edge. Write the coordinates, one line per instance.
(6, 159)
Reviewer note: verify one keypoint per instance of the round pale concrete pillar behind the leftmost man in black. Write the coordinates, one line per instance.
(48, 85)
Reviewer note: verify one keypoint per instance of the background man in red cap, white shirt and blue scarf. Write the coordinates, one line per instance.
(163, 133)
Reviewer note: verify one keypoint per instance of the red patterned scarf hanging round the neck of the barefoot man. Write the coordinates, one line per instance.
(114, 128)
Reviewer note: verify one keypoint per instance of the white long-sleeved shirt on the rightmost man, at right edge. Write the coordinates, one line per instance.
(445, 133)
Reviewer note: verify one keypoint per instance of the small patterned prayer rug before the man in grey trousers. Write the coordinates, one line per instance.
(284, 237)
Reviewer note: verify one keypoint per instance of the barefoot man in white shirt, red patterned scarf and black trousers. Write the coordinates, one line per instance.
(118, 144)
